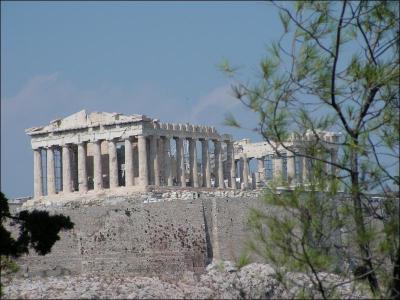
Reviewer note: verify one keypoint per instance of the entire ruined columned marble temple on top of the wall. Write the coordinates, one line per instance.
(91, 152)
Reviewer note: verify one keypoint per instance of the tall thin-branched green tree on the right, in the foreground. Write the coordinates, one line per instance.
(339, 73)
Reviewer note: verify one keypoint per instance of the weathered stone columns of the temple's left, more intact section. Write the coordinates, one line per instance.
(159, 158)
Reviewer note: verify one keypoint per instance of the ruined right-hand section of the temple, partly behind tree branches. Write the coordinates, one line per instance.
(286, 162)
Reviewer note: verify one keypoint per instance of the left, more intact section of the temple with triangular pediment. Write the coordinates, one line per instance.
(86, 147)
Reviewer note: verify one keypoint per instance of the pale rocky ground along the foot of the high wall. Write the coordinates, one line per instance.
(222, 280)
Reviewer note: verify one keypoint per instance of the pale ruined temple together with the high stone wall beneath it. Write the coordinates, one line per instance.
(149, 197)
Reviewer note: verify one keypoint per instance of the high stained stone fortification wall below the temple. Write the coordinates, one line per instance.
(150, 233)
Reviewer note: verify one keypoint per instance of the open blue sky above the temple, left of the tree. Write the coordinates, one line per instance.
(157, 59)
